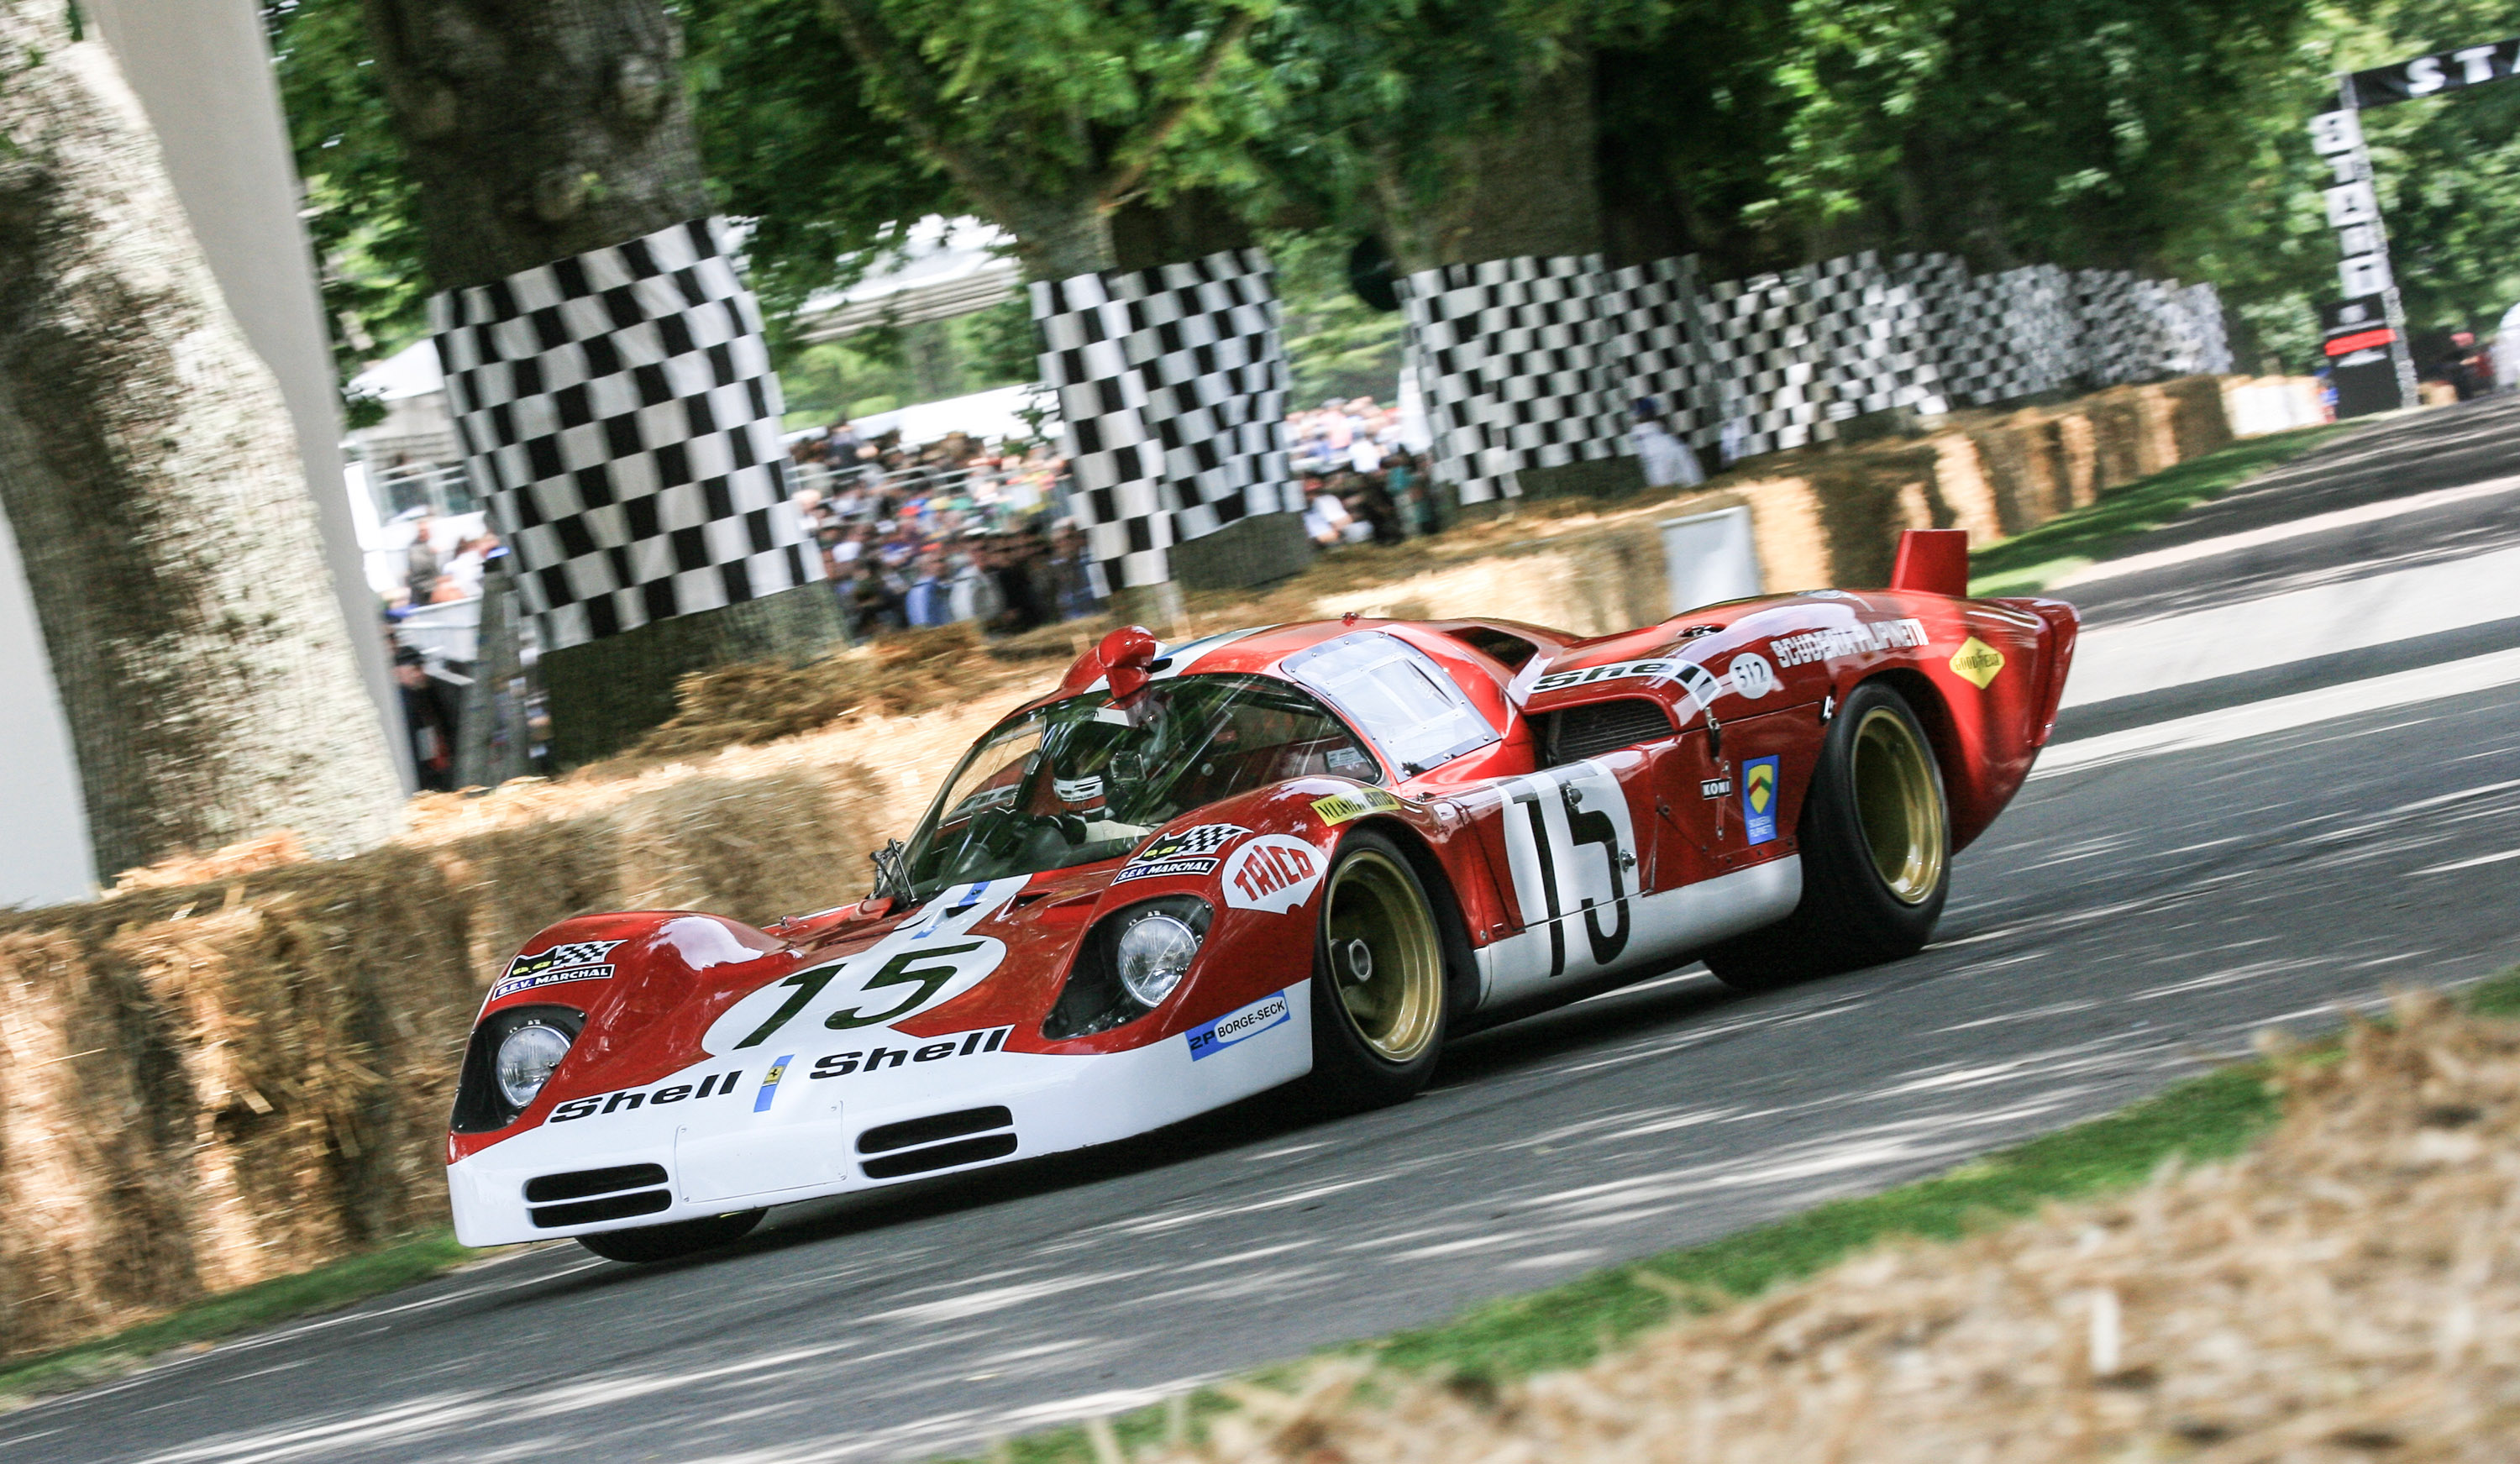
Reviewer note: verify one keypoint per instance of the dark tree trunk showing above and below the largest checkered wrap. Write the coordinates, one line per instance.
(538, 132)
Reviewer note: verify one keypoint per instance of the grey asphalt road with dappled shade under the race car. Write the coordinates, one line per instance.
(2126, 924)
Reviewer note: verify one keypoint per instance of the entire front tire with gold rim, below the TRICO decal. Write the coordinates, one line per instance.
(1377, 1042)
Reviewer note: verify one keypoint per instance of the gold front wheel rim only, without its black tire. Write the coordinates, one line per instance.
(1385, 956)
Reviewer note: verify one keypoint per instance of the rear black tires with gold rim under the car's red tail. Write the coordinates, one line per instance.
(1876, 853)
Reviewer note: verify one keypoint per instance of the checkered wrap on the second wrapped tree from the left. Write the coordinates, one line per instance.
(1173, 389)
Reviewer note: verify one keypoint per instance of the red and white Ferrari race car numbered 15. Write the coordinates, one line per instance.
(1309, 853)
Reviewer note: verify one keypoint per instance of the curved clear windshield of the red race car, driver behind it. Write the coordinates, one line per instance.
(1082, 780)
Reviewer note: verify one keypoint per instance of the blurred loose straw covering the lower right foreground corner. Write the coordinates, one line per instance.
(2345, 1291)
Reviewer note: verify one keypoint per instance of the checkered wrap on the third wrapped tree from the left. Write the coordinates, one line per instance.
(1518, 362)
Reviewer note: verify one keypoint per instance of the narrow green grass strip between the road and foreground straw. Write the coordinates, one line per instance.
(2201, 1120)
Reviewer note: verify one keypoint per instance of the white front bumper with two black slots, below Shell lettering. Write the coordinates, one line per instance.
(813, 1125)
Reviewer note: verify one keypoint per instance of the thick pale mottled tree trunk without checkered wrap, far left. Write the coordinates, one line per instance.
(152, 478)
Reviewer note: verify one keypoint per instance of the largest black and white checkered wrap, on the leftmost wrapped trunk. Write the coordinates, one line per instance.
(621, 417)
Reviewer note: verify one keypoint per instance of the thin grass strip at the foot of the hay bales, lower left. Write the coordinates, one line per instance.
(241, 1312)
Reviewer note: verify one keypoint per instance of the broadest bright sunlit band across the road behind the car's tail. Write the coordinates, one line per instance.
(2143, 656)
